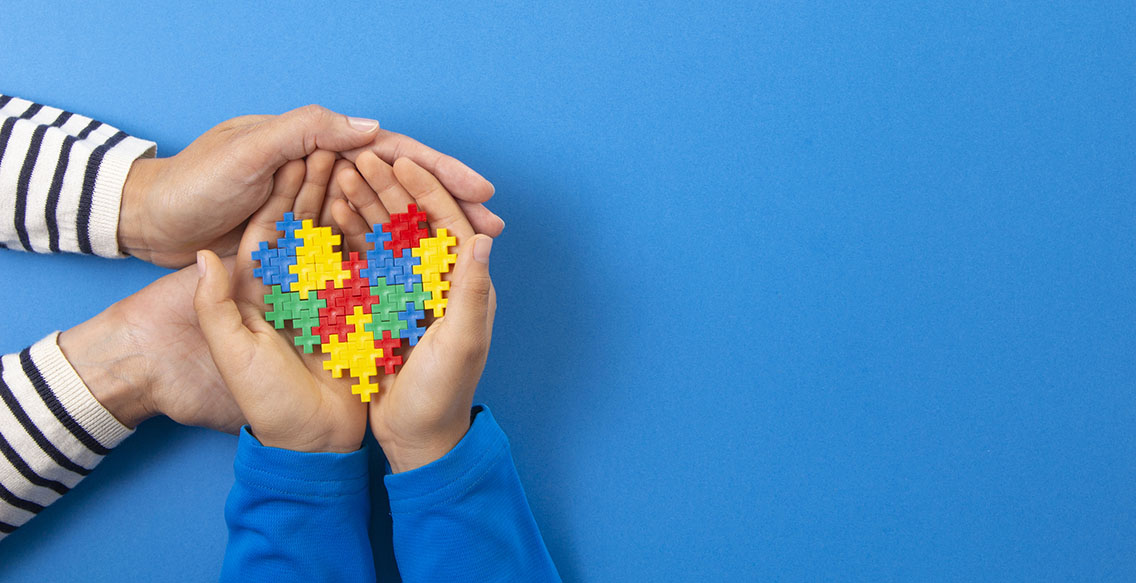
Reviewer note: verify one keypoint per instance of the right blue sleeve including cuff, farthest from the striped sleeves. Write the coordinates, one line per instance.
(465, 518)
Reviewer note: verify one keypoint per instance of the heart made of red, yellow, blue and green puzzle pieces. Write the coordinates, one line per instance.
(358, 312)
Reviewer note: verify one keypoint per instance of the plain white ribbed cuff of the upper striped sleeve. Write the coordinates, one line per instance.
(108, 194)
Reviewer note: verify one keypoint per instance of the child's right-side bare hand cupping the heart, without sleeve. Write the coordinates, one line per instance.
(423, 412)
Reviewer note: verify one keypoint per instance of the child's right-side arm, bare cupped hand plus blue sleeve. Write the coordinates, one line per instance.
(458, 509)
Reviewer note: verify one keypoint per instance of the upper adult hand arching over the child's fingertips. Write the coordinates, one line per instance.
(203, 197)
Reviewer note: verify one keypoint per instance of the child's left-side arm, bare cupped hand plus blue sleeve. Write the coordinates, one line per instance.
(299, 509)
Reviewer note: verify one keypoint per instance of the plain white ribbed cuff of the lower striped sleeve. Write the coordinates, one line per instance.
(74, 396)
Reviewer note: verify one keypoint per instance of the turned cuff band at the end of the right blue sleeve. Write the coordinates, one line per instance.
(439, 482)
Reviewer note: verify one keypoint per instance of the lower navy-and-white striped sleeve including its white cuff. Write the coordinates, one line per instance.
(53, 431)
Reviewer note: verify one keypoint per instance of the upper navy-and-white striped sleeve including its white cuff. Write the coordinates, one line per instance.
(62, 179)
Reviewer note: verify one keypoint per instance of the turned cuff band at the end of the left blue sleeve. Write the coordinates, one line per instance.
(297, 473)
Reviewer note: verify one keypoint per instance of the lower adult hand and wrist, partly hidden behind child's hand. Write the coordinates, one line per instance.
(146, 356)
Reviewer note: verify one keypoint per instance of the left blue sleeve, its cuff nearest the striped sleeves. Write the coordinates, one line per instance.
(297, 517)
